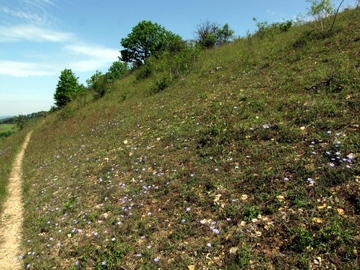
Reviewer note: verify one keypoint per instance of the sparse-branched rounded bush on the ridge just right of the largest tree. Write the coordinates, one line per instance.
(209, 34)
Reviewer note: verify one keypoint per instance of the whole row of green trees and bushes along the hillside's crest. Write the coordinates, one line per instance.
(151, 49)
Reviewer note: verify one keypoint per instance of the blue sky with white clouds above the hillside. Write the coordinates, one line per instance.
(40, 38)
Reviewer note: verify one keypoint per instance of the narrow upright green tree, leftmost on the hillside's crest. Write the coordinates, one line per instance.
(66, 88)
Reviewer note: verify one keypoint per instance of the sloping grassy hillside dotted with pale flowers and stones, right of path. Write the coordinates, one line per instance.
(248, 159)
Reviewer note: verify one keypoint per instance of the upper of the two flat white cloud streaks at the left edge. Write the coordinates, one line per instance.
(33, 33)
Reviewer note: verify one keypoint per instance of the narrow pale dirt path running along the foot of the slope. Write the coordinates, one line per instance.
(12, 217)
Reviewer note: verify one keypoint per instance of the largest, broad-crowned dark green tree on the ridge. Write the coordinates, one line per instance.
(146, 39)
